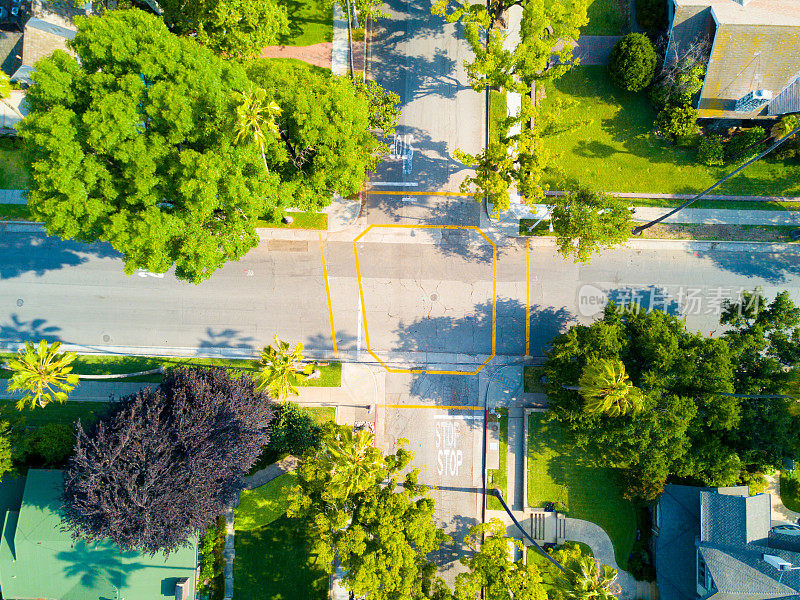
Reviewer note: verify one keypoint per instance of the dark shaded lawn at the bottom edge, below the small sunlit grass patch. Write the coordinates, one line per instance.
(274, 562)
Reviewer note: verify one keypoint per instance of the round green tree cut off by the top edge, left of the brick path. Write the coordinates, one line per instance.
(234, 28)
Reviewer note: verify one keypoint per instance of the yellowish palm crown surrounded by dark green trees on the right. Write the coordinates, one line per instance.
(607, 389)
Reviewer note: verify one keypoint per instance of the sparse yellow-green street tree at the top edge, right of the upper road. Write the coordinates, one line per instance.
(548, 29)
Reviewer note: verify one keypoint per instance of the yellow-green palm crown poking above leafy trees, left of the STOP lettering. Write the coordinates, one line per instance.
(352, 460)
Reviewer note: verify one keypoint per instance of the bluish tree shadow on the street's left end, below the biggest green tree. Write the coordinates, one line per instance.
(39, 253)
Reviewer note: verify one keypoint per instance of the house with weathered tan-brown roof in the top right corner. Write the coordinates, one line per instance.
(753, 65)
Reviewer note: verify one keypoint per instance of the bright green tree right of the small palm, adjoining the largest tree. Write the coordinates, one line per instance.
(327, 137)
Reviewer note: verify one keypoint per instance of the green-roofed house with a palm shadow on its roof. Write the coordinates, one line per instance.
(38, 559)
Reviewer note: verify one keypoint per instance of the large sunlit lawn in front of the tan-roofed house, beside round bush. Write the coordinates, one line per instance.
(618, 152)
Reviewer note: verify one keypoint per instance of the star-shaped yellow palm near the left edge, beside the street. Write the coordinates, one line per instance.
(43, 373)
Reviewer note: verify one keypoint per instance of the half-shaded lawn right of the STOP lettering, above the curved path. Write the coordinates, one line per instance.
(557, 473)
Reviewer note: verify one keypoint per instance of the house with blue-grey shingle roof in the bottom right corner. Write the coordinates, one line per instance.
(721, 544)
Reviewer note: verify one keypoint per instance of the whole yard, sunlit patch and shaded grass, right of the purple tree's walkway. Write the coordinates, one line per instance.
(273, 552)
